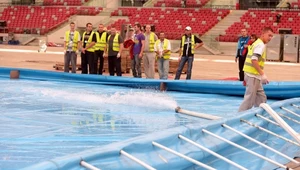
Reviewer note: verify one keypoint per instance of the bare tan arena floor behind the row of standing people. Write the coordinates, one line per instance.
(205, 66)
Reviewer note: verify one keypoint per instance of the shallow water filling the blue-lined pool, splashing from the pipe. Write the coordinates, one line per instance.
(42, 120)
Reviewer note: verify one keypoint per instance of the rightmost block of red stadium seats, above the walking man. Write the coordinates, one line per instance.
(255, 20)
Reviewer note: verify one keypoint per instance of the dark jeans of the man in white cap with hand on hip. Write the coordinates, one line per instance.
(183, 60)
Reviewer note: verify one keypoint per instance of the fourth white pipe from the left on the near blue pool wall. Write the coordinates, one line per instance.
(212, 152)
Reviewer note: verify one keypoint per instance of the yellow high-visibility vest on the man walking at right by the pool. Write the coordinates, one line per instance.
(248, 67)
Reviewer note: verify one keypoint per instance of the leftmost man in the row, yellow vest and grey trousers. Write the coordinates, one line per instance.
(71, 46)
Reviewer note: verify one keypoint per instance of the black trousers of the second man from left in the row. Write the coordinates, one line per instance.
(87, 62)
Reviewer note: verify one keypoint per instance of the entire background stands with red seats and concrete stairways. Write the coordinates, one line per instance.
(215, 21)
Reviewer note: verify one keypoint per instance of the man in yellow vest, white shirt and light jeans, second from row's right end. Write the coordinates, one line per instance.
(162, 48)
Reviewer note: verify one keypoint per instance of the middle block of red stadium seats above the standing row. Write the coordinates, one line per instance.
(172, 20)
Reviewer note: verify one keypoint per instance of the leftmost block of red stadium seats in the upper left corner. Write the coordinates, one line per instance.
(42, 19)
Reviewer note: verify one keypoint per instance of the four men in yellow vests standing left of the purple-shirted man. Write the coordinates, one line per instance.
(94, 46)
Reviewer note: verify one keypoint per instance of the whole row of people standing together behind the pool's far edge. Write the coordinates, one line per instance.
(145, 46)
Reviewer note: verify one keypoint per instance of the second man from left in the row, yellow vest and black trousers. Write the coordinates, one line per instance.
(88, 50)
